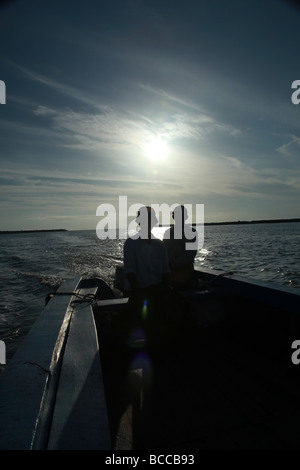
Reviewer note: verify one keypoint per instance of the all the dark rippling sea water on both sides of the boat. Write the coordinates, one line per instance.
(34, 264)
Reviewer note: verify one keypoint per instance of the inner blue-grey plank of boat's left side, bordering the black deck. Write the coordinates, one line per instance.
(79, 418)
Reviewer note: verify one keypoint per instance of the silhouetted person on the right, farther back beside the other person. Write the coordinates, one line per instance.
(179, 240)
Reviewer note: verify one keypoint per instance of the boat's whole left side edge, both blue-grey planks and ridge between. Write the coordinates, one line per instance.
(51, 393)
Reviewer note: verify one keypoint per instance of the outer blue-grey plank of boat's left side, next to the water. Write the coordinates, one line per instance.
(28, 383)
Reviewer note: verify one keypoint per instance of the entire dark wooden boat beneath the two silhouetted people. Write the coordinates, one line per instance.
(221, 375)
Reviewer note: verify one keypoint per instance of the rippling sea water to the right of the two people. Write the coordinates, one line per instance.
(269, 252)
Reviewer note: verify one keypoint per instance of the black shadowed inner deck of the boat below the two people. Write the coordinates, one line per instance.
(212, 386)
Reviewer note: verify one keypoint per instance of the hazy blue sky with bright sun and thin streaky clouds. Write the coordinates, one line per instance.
(92, 86)
